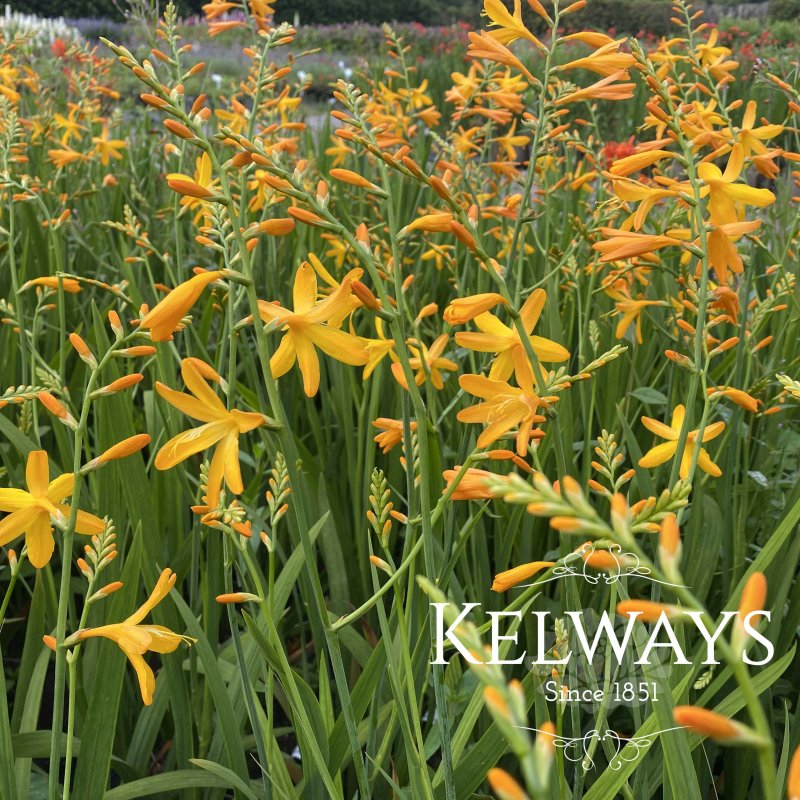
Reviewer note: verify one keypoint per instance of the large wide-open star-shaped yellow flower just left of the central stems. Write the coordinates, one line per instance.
(305, 328)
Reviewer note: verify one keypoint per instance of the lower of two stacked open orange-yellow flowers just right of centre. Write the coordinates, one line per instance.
(505, 407)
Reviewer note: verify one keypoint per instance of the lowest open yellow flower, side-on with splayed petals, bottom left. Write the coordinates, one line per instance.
(135, 639)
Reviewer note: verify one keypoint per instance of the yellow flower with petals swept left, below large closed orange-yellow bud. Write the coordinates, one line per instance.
(222, 428)
